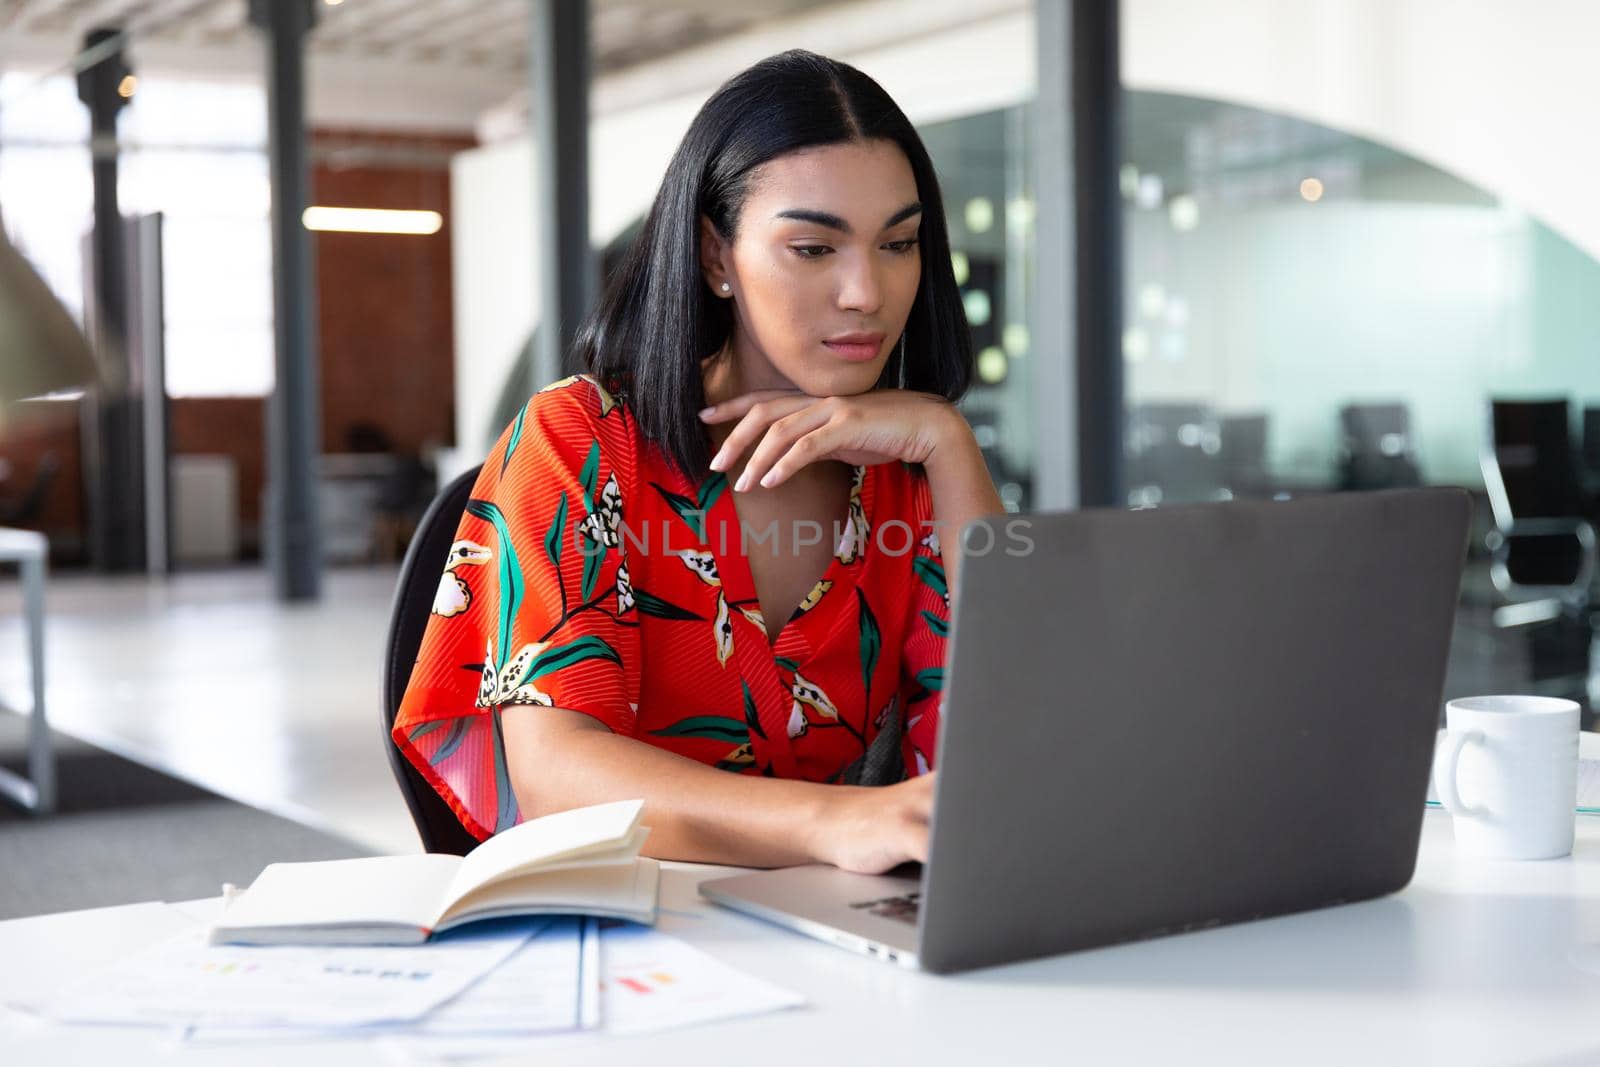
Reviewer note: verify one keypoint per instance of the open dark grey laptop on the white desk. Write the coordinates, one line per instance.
(1166, 721)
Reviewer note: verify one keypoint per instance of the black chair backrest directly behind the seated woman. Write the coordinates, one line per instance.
(420, 572)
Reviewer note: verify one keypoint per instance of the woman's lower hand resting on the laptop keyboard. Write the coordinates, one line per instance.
(871, 829)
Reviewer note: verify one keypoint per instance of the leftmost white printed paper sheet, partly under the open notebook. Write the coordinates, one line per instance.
(186, 981)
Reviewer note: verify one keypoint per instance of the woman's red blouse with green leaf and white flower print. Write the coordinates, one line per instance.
(590, 573)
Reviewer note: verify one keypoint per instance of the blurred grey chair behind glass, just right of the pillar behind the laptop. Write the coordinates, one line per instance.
(1174, 455)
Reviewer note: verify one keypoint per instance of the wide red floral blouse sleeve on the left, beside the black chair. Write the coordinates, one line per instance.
(535, 604)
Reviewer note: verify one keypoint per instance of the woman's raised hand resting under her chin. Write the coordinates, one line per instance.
(791, 430)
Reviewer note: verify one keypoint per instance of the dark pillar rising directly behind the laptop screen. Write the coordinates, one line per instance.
(1097, 140)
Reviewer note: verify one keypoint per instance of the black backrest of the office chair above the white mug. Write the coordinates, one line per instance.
(1532, 447)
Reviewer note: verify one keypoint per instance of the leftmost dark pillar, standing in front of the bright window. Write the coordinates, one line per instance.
(113, 433)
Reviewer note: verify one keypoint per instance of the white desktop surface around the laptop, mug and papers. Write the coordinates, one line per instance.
(1468, 965)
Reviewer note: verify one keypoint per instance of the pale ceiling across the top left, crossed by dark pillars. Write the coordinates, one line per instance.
(382, 65)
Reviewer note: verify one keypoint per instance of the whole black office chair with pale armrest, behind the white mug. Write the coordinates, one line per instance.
(1543, 545)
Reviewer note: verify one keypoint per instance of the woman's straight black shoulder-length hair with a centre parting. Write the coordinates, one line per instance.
(658, 319)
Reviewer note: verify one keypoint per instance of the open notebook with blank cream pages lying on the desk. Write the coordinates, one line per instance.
(574, 863)
